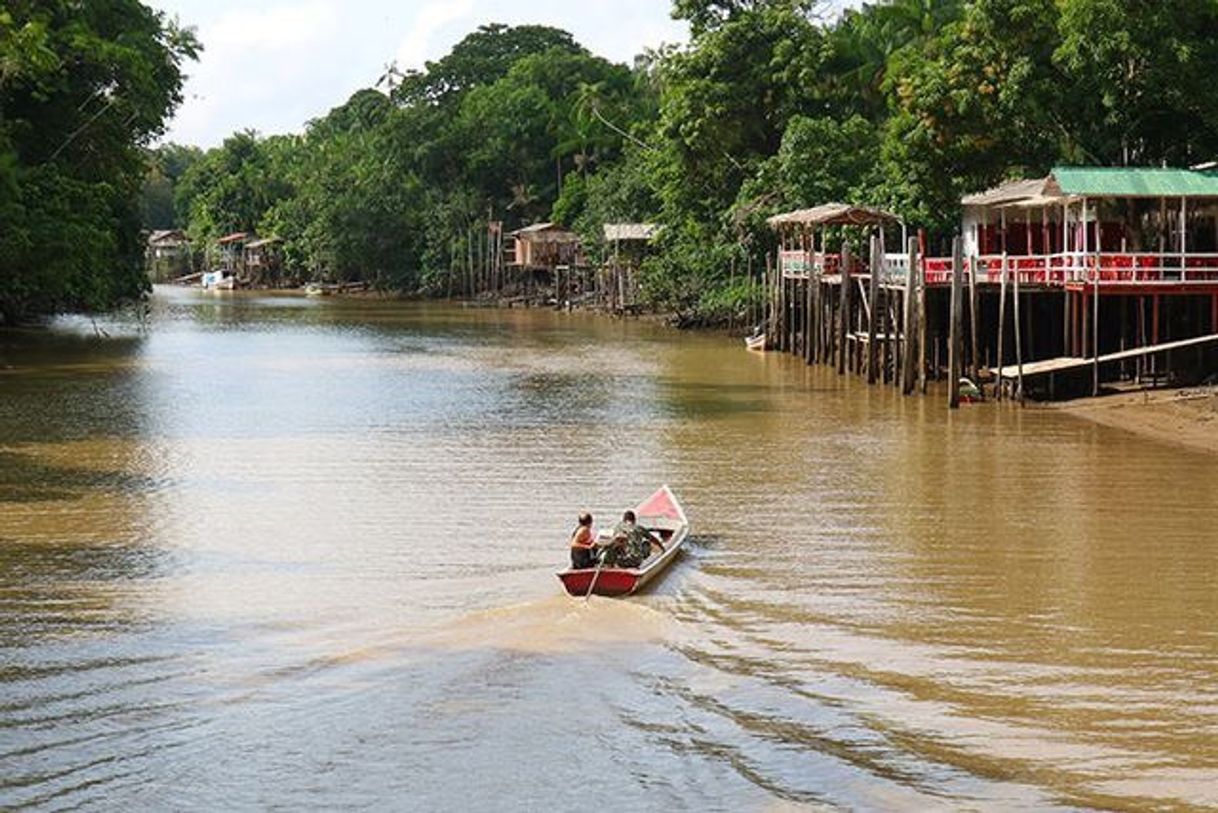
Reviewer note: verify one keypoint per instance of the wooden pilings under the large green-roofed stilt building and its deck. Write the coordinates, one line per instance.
(879, 319)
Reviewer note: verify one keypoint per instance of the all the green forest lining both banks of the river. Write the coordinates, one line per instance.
(772, 105)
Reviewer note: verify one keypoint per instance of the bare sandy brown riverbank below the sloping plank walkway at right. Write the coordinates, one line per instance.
(1183, 417)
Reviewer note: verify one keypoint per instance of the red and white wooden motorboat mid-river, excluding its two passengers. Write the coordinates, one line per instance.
(663, 516)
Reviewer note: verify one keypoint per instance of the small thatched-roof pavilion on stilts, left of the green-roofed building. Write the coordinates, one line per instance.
(819, 315)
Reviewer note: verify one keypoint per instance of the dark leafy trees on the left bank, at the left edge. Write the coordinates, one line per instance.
(83, 90)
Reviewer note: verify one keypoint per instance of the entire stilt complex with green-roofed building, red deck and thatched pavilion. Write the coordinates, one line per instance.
(1057, 287)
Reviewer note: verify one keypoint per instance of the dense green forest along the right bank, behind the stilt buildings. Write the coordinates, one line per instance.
(903, 105)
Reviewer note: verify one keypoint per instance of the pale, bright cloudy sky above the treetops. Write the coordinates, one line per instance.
(275, 65)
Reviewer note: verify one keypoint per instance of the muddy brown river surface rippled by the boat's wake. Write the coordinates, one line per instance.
(270, 552)
